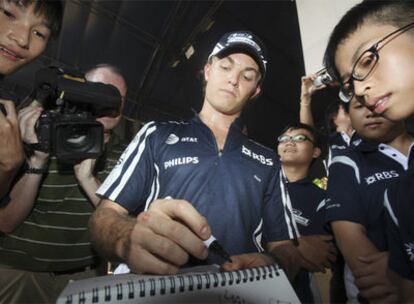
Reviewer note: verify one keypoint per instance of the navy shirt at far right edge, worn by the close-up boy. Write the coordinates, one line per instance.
(399, 203)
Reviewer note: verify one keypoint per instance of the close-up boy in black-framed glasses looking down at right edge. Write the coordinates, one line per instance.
(371, 54)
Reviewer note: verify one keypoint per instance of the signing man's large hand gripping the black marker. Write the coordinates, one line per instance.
(164, 236)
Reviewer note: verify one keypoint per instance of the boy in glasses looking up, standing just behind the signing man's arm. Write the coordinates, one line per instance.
(297, 148)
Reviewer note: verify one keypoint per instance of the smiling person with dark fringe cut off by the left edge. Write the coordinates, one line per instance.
(25, 29)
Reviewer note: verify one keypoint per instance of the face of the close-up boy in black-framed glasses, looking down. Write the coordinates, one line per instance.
(389, 88)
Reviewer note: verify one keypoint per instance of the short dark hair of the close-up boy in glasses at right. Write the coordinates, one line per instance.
(395, 13)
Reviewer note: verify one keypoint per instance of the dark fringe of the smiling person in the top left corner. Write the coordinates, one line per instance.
(52, 10)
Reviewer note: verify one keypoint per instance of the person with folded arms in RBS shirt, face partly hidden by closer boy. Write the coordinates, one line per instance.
(357, 180)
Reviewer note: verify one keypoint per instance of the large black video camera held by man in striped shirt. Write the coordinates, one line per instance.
(67, 128)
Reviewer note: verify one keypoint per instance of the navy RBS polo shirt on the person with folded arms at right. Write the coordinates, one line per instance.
(356, 184)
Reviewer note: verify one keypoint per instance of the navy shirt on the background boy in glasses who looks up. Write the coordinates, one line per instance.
(308, 207)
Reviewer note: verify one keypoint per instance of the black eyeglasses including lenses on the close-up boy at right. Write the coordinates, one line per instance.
(364, 65)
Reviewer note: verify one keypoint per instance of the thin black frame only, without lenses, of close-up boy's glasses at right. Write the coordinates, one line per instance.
(375, 51)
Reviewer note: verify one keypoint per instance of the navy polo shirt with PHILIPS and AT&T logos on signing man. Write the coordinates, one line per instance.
(236, 189)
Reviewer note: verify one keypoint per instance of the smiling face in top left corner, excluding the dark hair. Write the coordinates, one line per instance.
(23, 36)
